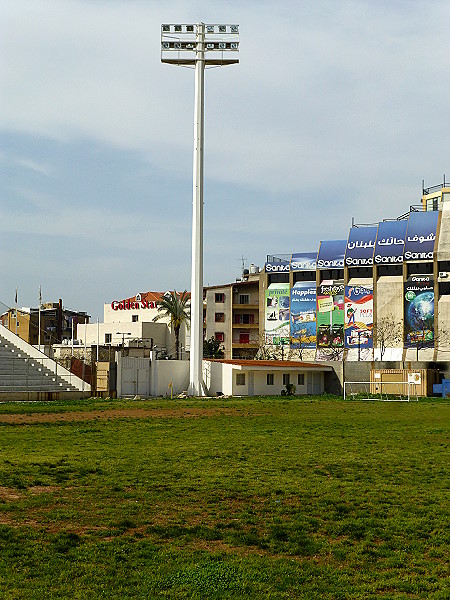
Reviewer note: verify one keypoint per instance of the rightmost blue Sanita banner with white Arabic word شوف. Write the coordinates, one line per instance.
(421, 235)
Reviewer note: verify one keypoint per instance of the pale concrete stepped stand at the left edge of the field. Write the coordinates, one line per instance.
(26, 370)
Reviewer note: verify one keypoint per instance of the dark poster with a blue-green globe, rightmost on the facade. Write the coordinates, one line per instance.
(419, 312)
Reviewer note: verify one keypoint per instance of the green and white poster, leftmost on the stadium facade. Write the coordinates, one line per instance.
(277, 314)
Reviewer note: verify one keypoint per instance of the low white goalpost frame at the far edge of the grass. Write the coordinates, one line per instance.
(385, 391)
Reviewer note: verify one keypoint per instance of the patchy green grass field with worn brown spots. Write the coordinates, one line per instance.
(243, 498)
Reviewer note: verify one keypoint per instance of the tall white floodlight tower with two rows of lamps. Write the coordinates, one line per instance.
(199, 46)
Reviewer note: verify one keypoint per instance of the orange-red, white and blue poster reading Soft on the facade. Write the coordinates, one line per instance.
(358, 316)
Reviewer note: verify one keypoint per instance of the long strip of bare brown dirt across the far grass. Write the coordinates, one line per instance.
(121, 413)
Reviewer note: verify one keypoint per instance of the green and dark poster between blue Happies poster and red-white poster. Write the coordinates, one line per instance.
(330, 315)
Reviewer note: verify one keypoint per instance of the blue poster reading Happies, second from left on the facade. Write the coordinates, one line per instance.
(303, 315)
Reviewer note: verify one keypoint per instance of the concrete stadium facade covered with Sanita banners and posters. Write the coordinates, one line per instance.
(382, 293)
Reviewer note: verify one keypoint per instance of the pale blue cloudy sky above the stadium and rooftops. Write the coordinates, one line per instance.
(336, 110)
